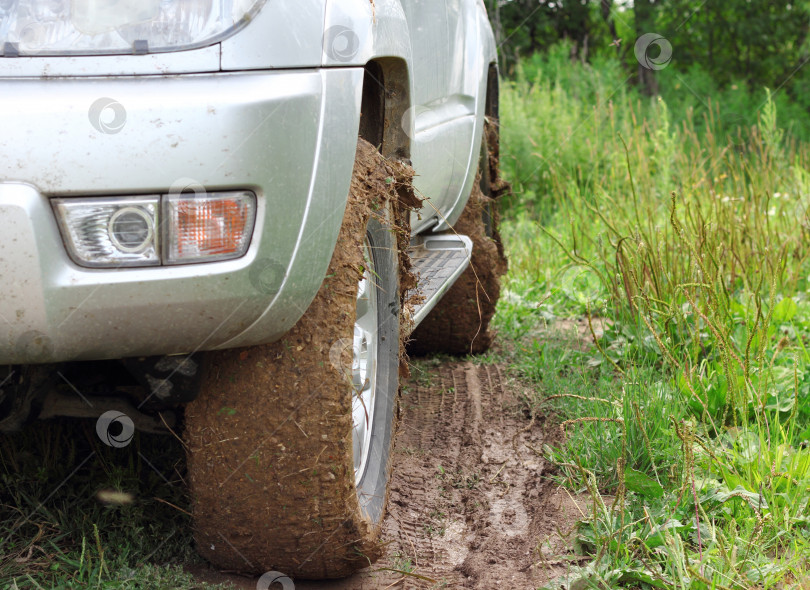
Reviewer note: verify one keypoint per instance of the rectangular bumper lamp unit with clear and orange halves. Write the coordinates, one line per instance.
(112, 232)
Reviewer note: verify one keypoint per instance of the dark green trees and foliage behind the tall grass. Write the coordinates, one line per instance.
(725, 50)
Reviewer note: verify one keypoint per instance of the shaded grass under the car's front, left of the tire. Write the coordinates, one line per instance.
(58, 528)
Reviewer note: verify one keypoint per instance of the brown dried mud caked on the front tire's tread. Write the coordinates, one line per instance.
(269, 438)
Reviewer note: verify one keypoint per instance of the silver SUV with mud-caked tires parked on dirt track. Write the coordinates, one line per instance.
(227, 220)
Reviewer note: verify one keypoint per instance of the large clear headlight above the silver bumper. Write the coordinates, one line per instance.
(58, 27)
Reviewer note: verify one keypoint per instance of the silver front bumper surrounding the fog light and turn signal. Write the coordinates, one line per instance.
(289, 136)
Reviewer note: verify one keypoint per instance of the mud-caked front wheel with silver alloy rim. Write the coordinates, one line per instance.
(272, 439)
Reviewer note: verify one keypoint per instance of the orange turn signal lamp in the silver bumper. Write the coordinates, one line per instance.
(208, 227)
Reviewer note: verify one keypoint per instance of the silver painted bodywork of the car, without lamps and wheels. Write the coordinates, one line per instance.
(283, 124)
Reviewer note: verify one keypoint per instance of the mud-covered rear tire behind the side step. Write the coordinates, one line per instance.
(459, 324)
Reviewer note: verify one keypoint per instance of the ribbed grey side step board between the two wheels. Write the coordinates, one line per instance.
(438, 261)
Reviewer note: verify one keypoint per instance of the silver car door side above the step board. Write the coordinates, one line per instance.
(443, 112)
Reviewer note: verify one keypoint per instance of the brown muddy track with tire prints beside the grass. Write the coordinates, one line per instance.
(471, 505)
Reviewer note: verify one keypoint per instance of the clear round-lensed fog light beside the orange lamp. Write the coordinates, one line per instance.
(109, 231)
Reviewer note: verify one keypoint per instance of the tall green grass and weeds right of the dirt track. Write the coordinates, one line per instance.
(687, 418)
